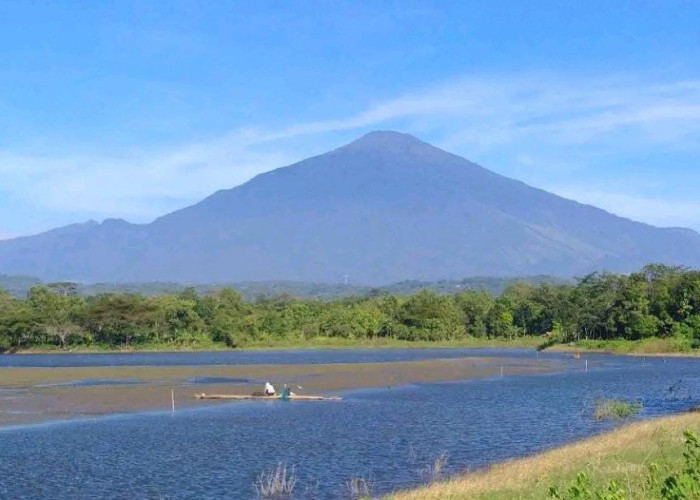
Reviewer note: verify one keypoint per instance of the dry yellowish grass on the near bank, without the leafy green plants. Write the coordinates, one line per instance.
(623, 456)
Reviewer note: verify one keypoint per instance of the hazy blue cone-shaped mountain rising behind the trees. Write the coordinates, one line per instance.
(384, 208)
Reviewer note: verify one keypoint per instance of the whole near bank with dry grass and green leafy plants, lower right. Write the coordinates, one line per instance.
(652, 459)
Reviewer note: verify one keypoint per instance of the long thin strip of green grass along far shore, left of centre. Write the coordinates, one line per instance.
(313, 343)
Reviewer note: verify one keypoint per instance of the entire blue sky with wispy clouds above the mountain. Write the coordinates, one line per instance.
(133, 109)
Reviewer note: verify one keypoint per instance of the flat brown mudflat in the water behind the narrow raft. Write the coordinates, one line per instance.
(32, 395)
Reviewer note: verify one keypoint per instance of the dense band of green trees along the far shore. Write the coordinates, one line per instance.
(658, 301)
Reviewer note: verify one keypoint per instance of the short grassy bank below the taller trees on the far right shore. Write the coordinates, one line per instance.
(670, 346)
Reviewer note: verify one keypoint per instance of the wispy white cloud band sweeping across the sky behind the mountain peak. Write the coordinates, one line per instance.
(515, 117)
